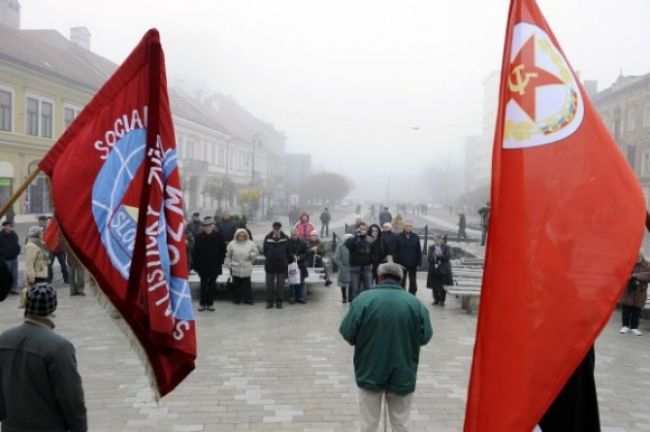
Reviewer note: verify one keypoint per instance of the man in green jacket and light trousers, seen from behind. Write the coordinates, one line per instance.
(387, 327)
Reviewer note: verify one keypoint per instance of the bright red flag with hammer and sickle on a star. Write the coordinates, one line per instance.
(565, 229)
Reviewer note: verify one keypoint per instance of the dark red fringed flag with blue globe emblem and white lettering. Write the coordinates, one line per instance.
(117, 194)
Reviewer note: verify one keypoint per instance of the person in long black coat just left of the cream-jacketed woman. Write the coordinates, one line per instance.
(208, 254)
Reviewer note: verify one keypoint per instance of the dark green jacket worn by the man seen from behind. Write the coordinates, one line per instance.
(387, 326)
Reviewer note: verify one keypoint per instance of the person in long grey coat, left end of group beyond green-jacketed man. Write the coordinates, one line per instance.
(360, 261)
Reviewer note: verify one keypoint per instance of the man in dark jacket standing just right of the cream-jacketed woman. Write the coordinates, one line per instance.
(278, 255)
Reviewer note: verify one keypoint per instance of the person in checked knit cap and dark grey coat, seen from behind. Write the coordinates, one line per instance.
(40, 381)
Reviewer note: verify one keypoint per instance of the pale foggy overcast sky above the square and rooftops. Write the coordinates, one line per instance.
(348, 80)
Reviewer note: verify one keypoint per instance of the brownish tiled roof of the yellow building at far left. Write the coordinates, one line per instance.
(48, 51)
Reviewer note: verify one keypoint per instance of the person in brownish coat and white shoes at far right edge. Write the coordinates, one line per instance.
(635, 296)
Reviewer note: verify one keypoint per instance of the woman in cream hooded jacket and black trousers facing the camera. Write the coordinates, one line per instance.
(240, 254)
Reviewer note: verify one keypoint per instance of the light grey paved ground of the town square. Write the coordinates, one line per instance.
(289, 370)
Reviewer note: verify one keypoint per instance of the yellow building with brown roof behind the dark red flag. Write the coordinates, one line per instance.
(45, 80)
